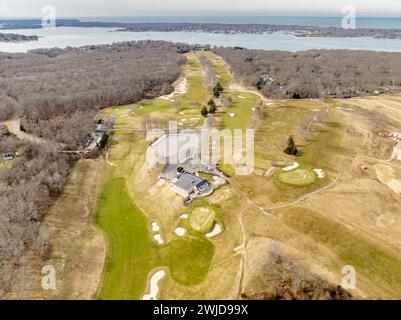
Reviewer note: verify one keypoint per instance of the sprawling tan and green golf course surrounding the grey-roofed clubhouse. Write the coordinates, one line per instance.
(323, 195)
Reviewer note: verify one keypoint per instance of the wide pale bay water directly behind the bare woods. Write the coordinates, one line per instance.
(63, 37)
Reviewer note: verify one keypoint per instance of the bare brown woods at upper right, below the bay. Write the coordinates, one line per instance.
(315, 73)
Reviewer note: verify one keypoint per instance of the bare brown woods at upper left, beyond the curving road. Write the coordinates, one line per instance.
(60, 91)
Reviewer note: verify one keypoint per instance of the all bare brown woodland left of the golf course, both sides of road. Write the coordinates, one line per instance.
(58, 93)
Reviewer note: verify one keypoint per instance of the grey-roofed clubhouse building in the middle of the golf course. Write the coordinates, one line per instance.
(187, 184)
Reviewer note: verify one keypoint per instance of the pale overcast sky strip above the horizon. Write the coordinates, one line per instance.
(86, 8)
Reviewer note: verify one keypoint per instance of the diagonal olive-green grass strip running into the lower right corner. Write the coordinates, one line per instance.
(369, 260)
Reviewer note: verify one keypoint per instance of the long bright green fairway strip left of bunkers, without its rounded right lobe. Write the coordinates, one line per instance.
(132, 254)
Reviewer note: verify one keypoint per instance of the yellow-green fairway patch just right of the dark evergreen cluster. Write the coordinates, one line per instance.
(242, 109)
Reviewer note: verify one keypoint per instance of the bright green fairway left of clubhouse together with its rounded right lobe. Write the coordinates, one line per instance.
(132, 255)
